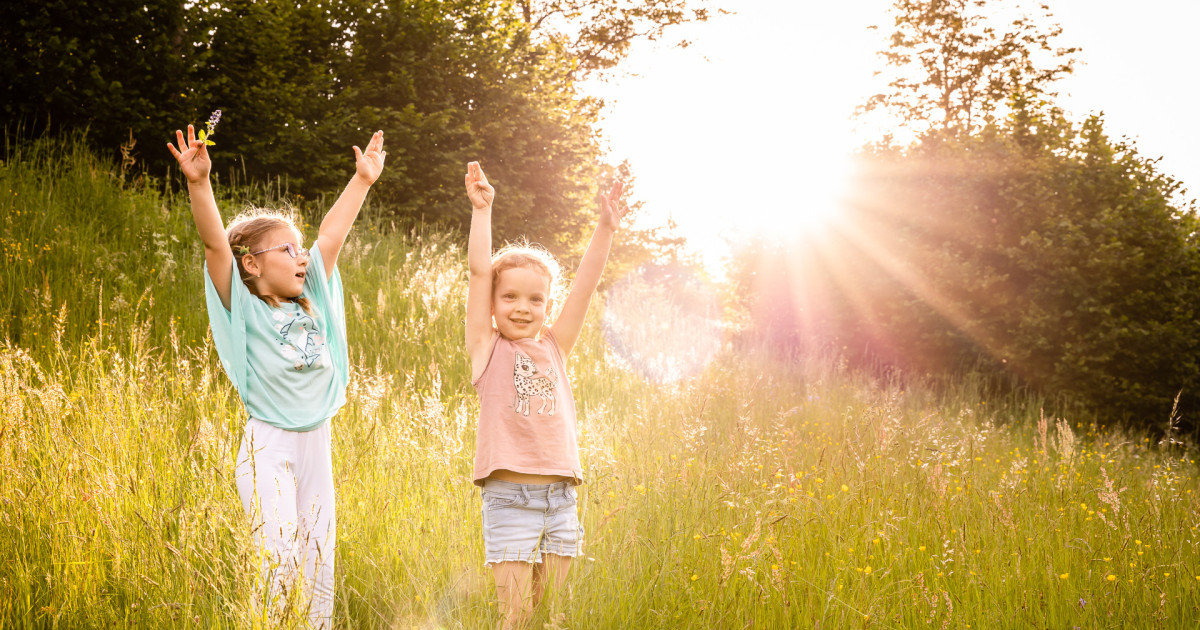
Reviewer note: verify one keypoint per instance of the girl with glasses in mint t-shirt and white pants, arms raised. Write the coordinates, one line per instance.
(279, 326)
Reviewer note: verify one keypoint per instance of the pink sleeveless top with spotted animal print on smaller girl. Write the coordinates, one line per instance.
(526, 412)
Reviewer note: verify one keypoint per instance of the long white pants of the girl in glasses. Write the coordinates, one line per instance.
(286, 483)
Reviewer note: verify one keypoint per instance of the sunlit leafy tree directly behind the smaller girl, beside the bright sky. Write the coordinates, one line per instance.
(454, 82)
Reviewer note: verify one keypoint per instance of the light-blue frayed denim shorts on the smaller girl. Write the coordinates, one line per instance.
(523, 521)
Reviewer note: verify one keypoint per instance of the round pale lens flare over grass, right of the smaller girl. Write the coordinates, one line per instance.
(663, 322)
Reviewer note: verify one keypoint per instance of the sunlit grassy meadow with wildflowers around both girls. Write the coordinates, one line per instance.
(755, 495)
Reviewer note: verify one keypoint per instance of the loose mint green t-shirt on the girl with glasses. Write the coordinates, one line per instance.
(291, 369)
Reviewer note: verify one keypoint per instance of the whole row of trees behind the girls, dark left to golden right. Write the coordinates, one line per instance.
(299, 83)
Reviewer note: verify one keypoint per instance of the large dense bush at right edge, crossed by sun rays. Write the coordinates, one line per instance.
(1041, 250)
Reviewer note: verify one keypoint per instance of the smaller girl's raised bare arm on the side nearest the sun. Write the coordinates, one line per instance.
(571, 321)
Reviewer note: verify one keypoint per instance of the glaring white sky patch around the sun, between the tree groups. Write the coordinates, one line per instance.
(751, 130)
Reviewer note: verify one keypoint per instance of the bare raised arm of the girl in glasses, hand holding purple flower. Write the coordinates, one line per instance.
(194, 161)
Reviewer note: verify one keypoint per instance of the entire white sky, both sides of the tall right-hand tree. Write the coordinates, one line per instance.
(749, 125)
